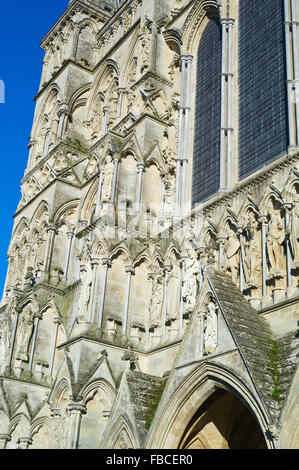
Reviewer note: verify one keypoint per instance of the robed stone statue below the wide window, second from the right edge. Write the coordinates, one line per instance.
(275, 242)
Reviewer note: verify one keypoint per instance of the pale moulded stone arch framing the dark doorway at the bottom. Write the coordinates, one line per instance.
(174, 413)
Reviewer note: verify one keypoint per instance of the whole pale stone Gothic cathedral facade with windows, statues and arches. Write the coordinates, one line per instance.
(151, 299)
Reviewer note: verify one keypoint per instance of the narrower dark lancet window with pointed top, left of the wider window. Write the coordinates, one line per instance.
(206, 158)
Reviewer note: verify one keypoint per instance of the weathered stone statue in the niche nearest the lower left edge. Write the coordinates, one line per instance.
(24, 333)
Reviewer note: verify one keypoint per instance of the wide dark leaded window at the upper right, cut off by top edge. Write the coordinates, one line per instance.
(263, 130)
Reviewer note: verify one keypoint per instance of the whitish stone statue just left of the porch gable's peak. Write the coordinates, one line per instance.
(190, 280)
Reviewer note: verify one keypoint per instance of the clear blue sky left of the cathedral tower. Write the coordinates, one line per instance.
(23, 26)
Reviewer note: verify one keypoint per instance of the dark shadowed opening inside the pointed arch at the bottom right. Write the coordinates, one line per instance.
(223, 422)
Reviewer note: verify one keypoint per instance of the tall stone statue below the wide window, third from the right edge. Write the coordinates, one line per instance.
(252, 253)
